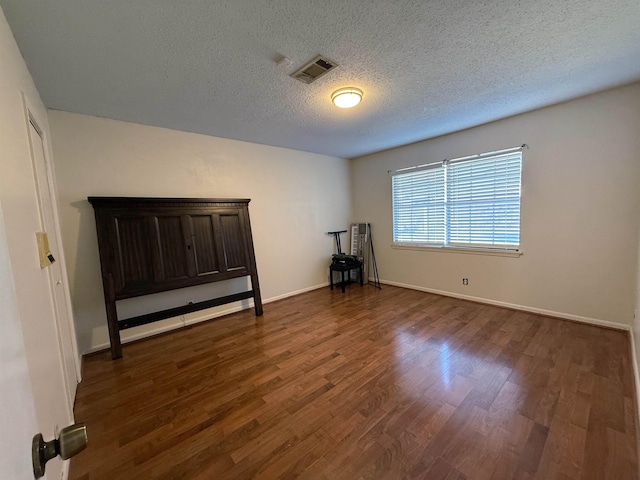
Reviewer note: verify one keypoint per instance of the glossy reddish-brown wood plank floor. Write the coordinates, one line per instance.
(370, 384)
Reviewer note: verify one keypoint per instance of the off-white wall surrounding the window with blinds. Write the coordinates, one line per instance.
(579, 219)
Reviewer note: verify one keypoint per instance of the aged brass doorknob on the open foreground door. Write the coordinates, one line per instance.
(71, 441)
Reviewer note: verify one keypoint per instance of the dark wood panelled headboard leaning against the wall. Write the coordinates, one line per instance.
(151, 245)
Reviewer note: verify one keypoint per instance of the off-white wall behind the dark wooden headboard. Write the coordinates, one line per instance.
(296, 198)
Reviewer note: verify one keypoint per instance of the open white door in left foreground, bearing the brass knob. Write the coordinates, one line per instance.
(17, 415)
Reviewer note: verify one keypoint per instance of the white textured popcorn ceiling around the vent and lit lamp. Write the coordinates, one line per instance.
(426, 67)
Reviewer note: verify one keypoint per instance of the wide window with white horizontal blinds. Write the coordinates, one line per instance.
(469, 202)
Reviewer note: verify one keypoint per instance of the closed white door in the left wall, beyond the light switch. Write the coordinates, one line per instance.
(57, 275)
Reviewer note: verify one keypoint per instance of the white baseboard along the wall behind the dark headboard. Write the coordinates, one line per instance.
(181, 321)
